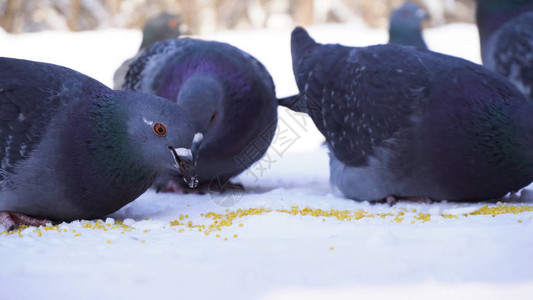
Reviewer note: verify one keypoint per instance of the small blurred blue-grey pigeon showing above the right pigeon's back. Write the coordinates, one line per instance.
(406, 26)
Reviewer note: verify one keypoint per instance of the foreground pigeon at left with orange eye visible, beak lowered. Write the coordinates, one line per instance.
(71, 148)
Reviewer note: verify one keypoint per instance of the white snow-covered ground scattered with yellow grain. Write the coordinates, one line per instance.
(289, 235)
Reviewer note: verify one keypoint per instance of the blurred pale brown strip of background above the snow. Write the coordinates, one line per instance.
(206, 16)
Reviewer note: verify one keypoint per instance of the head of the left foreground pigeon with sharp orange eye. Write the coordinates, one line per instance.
(162, 134)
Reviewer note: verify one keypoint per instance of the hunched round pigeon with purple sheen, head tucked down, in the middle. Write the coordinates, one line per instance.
(229, 95)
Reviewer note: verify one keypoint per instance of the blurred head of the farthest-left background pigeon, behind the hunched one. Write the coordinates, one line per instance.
(162, 27)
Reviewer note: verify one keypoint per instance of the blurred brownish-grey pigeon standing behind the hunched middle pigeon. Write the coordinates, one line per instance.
(162, 27)
